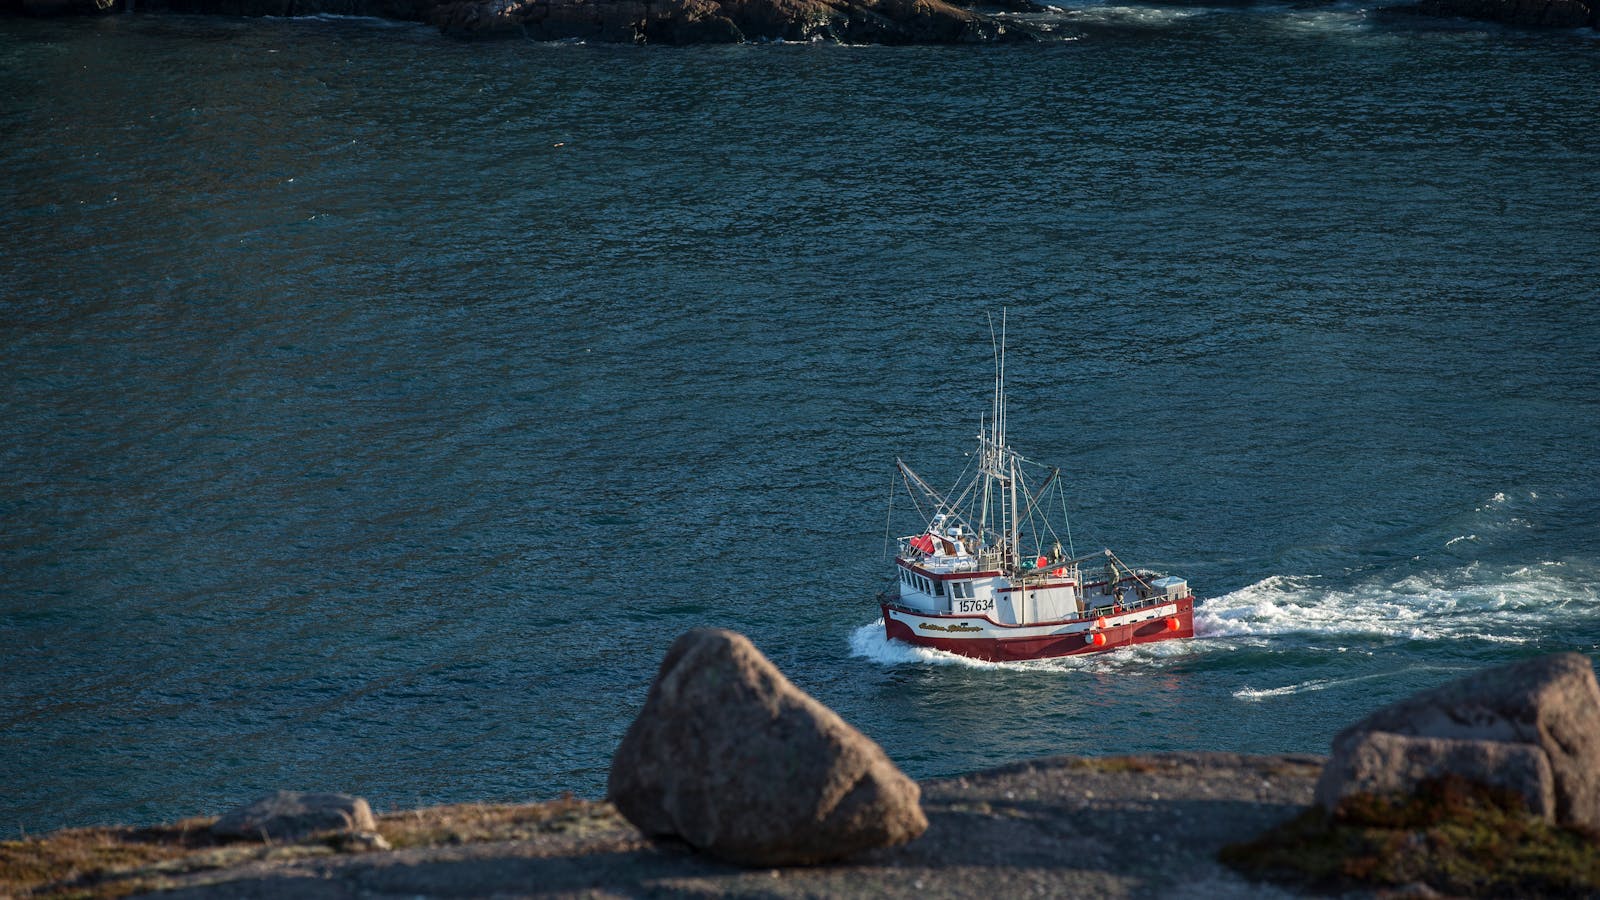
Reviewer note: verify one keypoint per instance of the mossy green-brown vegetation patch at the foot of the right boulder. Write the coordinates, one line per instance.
(1458, 838)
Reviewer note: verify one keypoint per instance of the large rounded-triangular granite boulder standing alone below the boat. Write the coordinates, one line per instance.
(732, 758)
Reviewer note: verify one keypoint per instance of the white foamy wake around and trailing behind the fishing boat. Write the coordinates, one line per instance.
(1446, 595)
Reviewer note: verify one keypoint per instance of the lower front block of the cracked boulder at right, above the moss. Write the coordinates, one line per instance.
(1382, 763)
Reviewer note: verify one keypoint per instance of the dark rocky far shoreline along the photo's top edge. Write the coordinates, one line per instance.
(738, 22)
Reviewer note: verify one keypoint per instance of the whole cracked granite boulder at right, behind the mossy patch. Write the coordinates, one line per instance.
(1550, 704)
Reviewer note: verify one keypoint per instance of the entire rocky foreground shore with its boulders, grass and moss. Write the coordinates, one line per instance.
(734, 782)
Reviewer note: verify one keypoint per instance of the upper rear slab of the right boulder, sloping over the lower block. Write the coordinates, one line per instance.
(1548, 702)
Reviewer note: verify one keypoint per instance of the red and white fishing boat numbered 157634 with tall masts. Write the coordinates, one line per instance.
(988, 576)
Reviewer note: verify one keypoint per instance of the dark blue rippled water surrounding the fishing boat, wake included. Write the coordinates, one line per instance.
(375, 409)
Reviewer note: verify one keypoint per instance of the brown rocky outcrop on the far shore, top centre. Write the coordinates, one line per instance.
(726, 22)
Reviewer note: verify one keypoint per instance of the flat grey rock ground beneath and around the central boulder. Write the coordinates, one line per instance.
(1062, 827)
